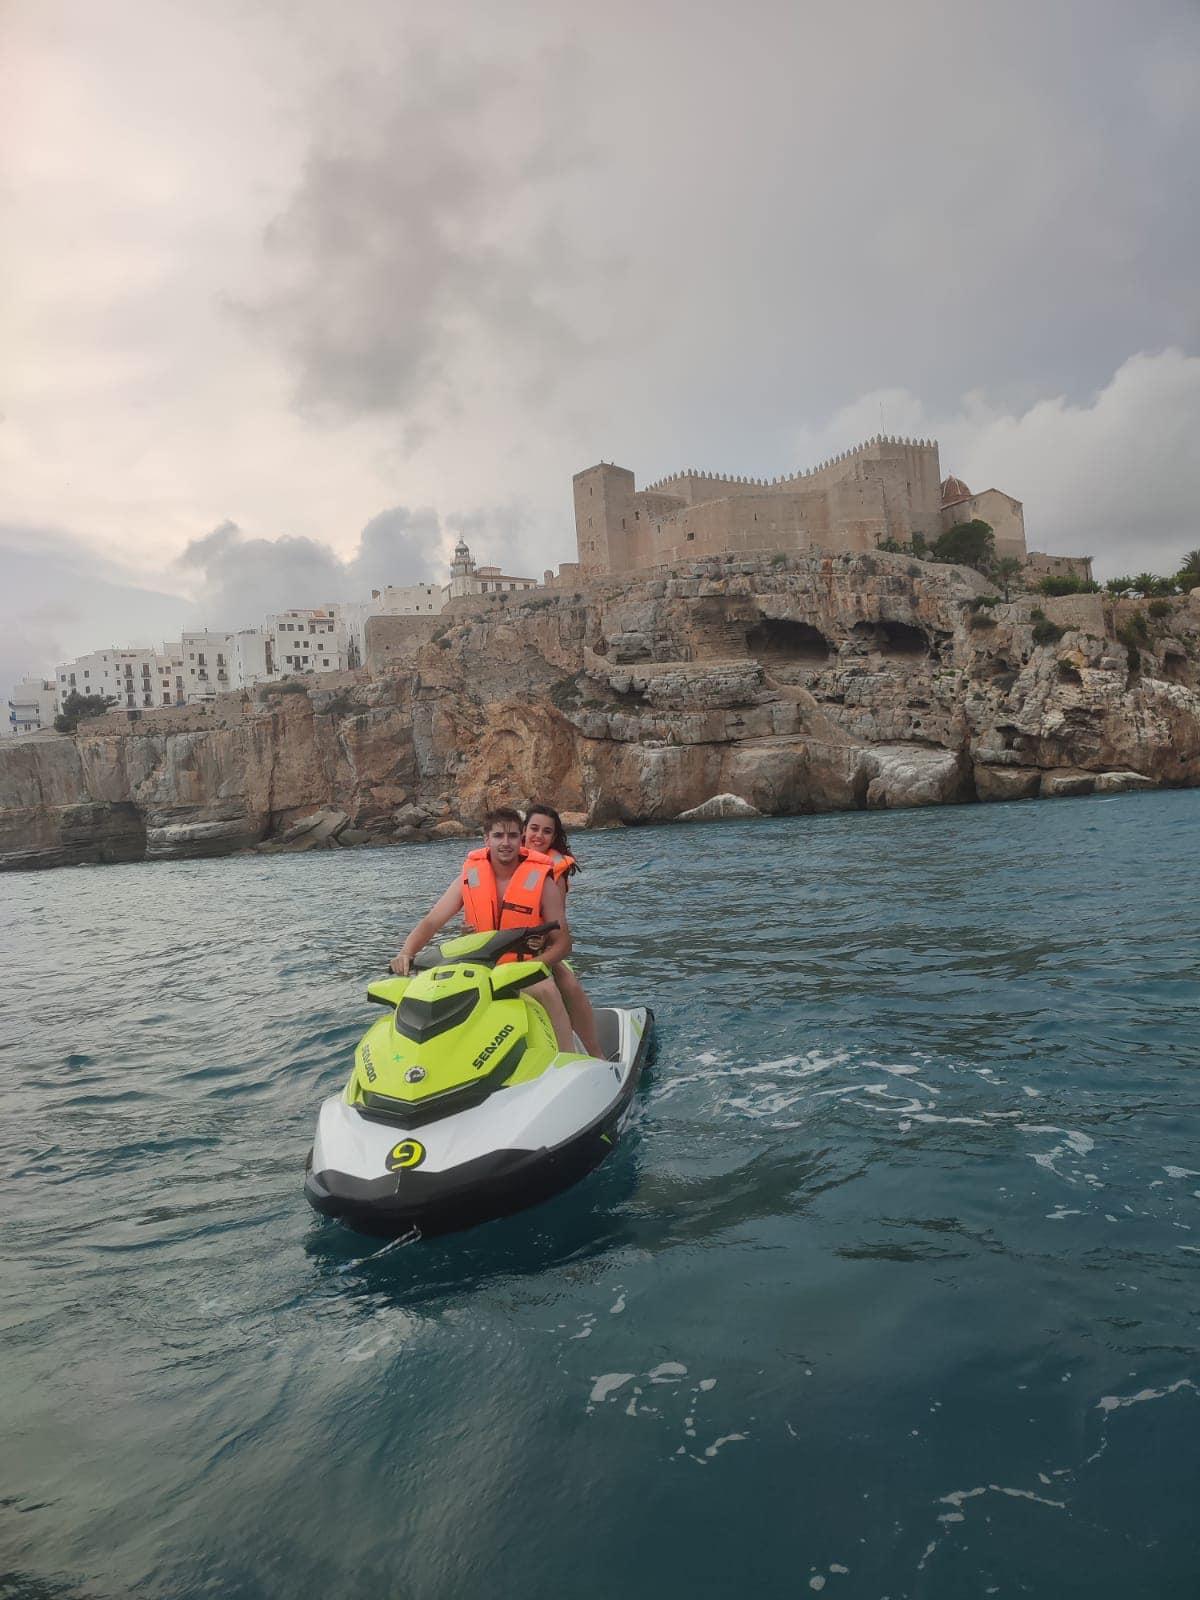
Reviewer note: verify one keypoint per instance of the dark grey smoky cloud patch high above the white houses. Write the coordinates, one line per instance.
(420, 230)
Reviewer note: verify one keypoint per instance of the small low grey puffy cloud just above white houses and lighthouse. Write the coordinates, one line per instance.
(244, 578)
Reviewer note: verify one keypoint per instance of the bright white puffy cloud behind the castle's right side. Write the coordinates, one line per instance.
(1114, 476)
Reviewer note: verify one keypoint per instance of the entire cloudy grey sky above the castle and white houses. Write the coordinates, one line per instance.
(297, 292)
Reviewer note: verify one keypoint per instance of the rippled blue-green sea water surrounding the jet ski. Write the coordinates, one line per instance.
(892, 1289)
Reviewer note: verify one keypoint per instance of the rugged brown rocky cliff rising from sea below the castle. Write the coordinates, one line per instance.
(799, 686)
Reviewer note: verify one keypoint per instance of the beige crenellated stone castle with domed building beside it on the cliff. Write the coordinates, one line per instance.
(886, 490)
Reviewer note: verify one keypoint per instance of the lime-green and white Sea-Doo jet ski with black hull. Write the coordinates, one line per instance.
(460, 1106)
